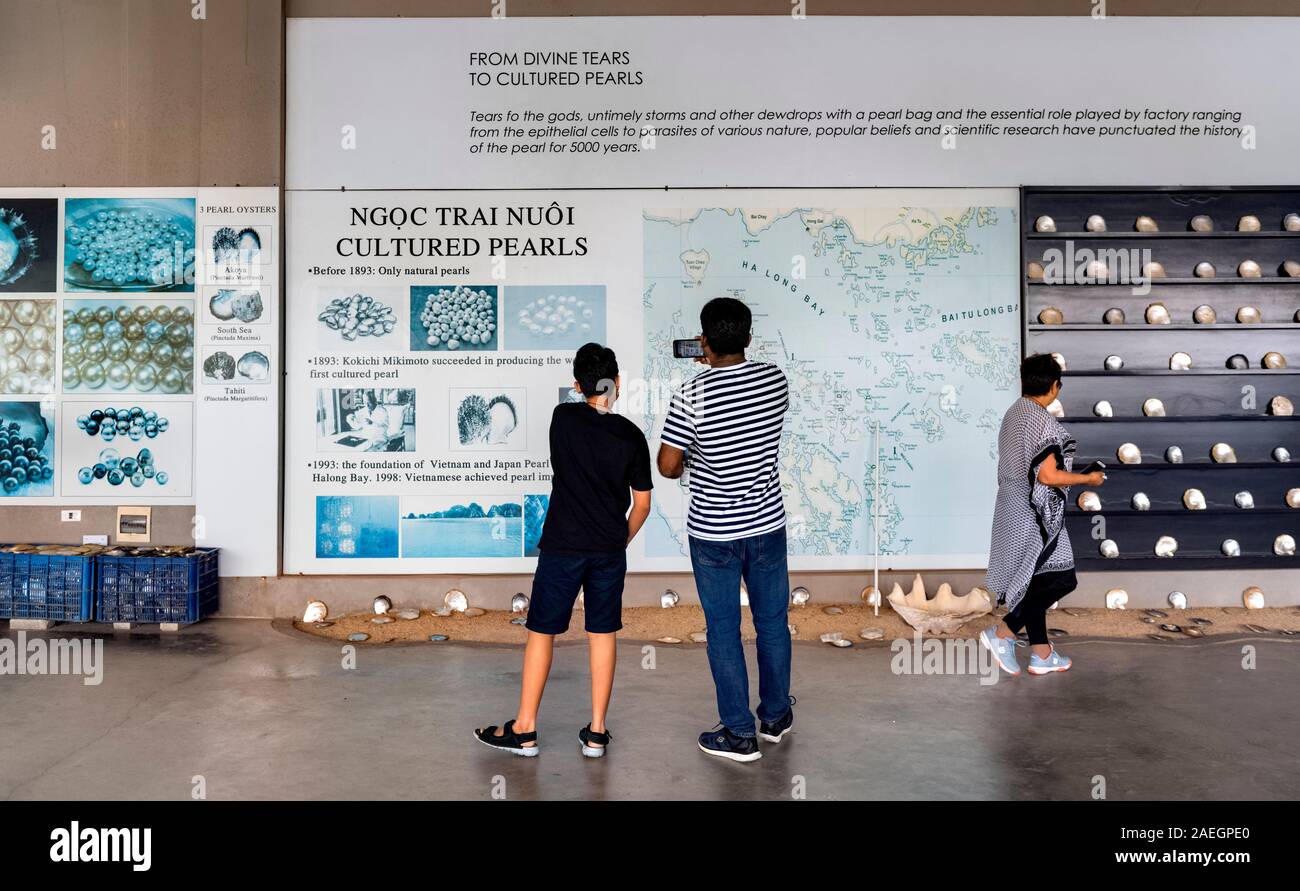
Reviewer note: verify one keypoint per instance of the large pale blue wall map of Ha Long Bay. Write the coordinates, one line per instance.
(902, 317)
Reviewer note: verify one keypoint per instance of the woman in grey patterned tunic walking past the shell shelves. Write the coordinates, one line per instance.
(1030, 561)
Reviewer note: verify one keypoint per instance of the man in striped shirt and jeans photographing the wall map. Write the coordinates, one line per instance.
(725, 427)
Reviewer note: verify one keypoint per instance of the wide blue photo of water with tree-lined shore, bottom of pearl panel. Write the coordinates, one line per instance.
(462, 526)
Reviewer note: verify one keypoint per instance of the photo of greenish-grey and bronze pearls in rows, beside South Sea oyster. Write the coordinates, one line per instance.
(137, 347)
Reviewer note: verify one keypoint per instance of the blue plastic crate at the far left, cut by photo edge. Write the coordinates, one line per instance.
(47, 587)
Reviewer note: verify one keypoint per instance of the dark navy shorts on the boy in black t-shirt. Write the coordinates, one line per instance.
(561, 577)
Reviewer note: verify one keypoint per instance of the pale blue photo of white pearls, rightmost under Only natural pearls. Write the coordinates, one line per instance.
(553, 318)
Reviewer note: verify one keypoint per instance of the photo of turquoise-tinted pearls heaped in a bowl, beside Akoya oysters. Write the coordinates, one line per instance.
(129, 244)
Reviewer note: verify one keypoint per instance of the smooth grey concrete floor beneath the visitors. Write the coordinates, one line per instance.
(262, 712)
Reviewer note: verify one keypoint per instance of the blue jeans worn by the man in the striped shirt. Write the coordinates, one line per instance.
(720, 566)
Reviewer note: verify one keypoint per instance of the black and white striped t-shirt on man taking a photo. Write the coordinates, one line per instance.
(730, 421)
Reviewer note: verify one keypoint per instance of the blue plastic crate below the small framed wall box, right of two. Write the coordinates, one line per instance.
(155, 590)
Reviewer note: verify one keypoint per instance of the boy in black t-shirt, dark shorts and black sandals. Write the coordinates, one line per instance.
(601, 465)
